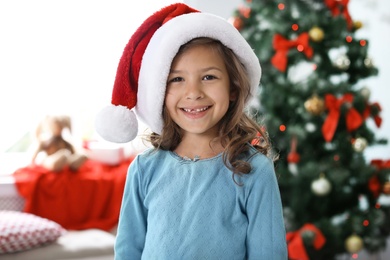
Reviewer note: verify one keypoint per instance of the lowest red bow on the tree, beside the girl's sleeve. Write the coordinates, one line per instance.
(296, 247)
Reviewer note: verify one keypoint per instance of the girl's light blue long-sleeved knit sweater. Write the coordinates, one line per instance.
(176, 208)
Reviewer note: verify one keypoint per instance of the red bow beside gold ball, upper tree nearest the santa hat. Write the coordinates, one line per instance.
(282, 46)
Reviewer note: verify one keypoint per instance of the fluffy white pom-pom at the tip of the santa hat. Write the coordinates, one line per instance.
(116, 124)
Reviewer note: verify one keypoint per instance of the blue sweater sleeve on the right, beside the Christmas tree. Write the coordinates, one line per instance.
(266, 235)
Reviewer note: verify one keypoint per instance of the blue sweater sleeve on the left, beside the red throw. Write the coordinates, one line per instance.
(131, 233)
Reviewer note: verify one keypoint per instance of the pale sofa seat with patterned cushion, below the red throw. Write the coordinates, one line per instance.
(25, 236)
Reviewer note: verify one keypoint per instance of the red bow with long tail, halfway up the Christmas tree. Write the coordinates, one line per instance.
(353, 118)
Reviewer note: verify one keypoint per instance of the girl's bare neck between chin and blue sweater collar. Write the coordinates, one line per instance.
(201, 148)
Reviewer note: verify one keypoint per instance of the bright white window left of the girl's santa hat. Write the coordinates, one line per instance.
(61, 57)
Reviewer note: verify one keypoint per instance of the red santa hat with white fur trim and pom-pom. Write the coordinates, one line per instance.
(143, 69)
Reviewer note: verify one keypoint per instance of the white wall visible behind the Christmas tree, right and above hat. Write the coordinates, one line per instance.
(375, 16)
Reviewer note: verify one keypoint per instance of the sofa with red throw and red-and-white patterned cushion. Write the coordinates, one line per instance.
(66, 215)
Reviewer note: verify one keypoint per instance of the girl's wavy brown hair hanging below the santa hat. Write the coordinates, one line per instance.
(237, 129)
